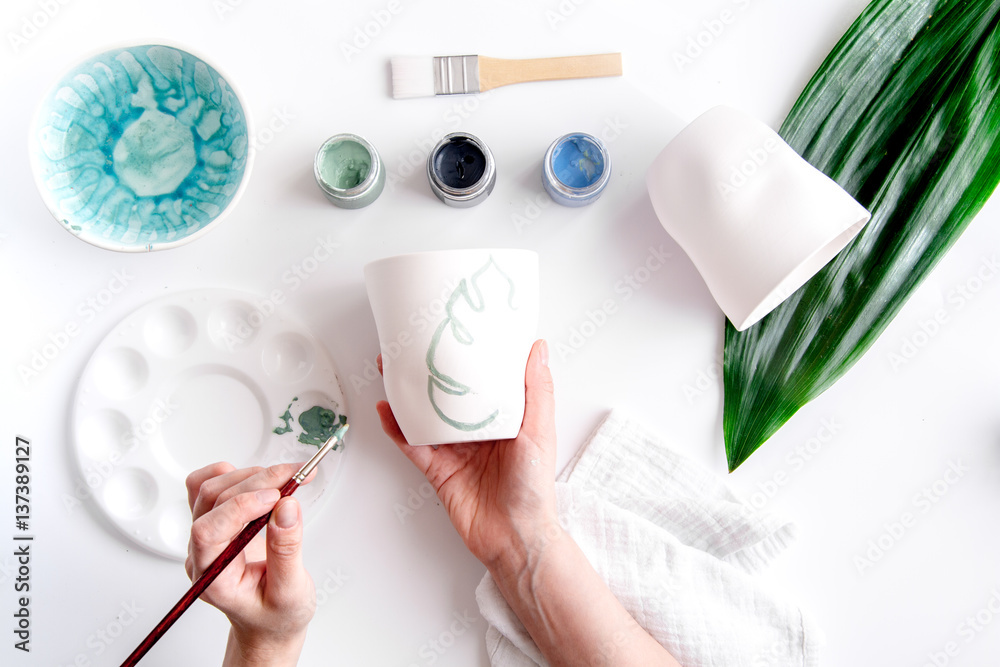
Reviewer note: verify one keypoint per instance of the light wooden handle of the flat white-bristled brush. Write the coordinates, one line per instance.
(496, 72)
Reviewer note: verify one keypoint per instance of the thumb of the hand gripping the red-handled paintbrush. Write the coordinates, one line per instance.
(284, 551)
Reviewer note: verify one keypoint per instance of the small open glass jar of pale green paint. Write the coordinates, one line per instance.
(349, 171)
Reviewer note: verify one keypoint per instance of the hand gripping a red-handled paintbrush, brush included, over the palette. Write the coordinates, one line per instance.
(269, 614)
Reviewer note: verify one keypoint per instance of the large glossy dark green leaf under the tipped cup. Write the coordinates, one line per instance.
(905, 115)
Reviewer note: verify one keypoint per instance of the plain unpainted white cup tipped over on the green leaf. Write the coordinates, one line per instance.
(756, 219)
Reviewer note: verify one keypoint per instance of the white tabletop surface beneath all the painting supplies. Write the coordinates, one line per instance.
(396, 585)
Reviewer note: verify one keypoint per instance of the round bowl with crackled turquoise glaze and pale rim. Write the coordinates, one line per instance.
(141, 148)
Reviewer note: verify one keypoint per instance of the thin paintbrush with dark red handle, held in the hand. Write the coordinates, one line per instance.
(230, 552)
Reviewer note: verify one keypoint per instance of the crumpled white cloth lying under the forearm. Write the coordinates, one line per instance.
(677, 549)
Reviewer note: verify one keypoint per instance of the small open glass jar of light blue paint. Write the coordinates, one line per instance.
(576, 169)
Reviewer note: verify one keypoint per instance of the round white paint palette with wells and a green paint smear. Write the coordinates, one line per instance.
(187, 380)
